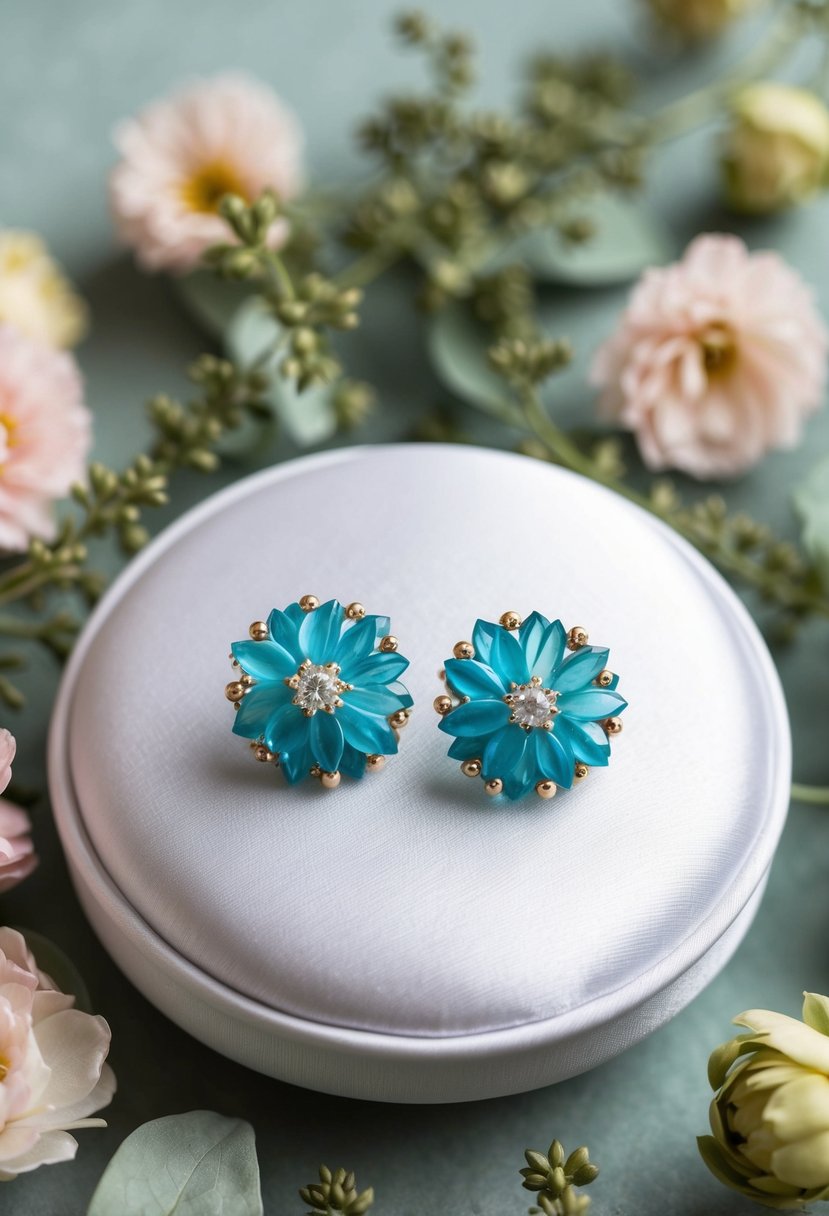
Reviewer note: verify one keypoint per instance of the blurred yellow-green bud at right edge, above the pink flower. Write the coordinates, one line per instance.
(777, 151)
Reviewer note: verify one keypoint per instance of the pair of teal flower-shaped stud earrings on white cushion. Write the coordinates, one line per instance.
(531, 706)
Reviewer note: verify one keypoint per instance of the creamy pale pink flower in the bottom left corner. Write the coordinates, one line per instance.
(53, 1071)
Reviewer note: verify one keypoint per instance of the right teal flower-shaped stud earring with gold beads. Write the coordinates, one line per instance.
(526, 713)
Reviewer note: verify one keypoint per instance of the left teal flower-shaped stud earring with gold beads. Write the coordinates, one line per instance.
(317, 691)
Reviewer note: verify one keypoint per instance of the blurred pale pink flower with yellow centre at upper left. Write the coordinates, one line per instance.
(227, 136)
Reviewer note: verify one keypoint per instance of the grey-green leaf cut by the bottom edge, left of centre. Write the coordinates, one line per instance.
(199, 1164)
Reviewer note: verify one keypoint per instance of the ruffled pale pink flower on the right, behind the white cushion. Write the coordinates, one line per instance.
(718, 359)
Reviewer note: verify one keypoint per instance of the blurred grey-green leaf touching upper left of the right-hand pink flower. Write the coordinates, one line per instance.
(627, 240)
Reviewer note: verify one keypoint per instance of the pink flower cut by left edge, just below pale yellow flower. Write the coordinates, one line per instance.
(46, 436)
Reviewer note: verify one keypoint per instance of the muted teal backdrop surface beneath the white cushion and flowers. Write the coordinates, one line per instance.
(70, 72)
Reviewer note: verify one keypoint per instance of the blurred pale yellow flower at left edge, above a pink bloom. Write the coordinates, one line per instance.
(35, 296)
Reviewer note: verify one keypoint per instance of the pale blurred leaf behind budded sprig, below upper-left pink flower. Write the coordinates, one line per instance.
(309, 416)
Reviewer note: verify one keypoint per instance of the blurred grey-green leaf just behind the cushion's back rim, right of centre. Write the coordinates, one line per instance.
(458, 347)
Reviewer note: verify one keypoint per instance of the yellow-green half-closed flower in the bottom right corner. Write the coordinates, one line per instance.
(771, 1113)
